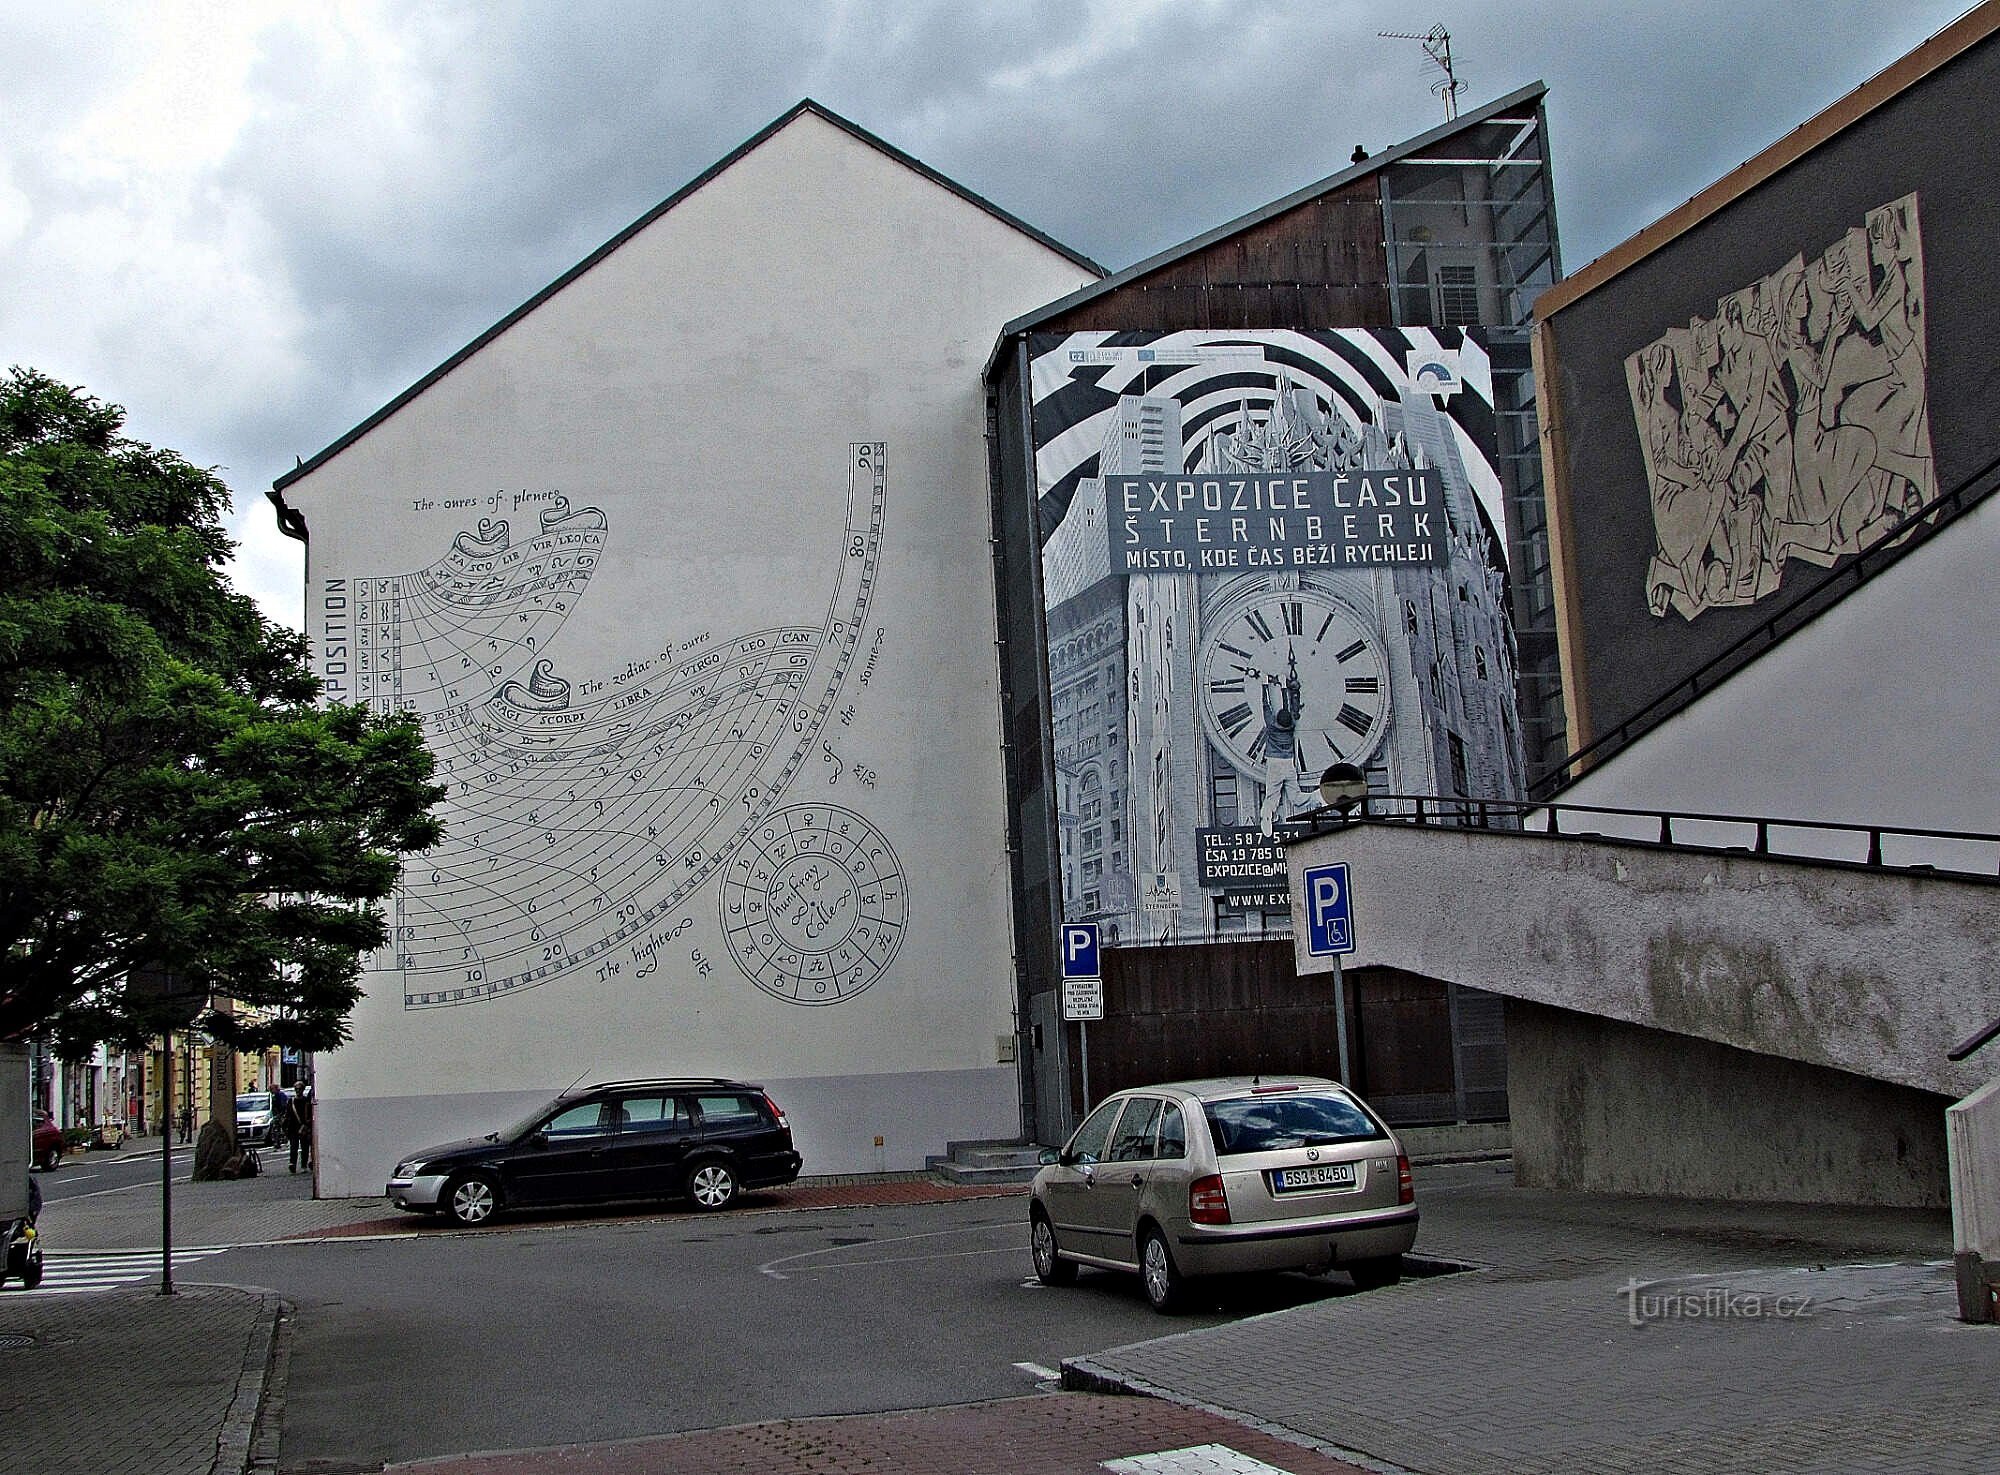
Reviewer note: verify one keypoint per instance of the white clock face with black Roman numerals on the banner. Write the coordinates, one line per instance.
(1291, 675)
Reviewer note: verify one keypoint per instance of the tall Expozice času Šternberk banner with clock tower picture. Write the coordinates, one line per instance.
(1263, 555)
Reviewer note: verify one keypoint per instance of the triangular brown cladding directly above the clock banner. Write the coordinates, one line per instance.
(1321, 265)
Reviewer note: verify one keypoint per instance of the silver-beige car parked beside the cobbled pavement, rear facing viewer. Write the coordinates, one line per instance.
(1221, 1178)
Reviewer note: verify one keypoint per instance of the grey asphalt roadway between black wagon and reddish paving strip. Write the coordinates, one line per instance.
(581, 1332)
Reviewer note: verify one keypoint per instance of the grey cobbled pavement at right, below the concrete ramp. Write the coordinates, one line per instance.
(1619, 1336)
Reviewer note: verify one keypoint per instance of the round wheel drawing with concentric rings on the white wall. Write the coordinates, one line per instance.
(815, 904)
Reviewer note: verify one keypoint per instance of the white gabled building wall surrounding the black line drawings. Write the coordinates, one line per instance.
(703, 387)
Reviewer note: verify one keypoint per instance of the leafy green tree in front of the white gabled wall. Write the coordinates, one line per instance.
(171, 792)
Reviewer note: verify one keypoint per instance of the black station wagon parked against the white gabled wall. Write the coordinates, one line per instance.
(619, 1140)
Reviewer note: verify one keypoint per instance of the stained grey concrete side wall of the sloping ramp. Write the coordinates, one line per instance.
(1853, 968)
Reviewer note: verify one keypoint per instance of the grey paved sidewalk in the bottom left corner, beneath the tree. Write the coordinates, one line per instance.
(133, 1382)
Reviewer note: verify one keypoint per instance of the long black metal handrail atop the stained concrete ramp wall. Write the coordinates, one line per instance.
(1515, 816)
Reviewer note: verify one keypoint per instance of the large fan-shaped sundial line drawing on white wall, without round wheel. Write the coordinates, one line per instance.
(585, 816)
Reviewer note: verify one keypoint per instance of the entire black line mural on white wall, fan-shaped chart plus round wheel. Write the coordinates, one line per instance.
(589, 814)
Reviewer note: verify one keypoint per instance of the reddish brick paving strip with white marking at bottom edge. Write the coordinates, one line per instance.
(1067, 1434)
